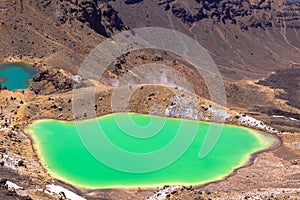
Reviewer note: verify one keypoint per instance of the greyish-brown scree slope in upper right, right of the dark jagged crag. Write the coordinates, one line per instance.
(244, 37)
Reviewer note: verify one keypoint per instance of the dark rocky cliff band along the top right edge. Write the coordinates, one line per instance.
(254, 14)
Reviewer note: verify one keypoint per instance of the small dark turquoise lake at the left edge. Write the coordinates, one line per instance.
(16, 76)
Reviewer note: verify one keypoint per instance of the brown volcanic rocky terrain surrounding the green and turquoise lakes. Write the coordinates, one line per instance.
(254, 43)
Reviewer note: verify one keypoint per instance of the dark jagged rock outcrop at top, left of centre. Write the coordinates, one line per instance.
(98, 15)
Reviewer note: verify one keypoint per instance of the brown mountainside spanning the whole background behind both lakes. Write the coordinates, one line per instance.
(247, 39)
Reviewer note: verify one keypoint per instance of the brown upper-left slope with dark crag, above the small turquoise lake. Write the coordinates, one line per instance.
(57, 33)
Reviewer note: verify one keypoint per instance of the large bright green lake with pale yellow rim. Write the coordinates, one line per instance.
(63, 154)
